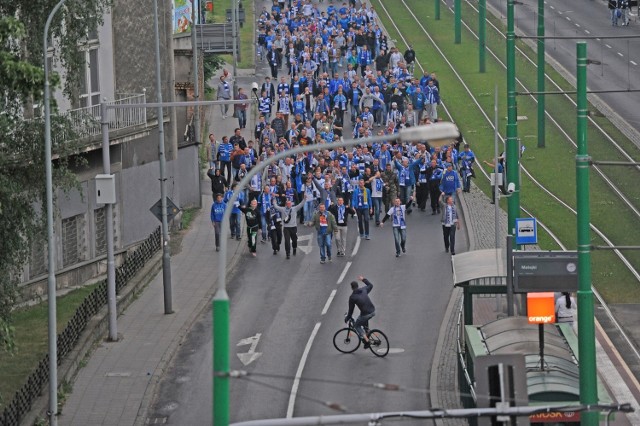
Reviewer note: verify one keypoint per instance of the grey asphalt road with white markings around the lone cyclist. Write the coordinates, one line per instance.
(277, 304)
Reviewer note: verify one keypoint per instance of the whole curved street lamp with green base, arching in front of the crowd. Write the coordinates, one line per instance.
(221, 396)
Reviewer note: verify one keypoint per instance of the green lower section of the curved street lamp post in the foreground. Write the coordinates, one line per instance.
(221, 358)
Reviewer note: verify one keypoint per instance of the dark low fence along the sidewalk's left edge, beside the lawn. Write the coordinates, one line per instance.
(13, 413)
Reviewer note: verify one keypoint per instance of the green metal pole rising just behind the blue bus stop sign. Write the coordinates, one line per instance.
(513, 154)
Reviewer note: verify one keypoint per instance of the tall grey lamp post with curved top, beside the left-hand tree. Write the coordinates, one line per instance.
(51, 248)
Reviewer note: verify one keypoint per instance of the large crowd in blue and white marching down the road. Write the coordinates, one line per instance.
(334, 76)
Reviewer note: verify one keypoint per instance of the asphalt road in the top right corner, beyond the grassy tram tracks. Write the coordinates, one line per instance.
(620, 58)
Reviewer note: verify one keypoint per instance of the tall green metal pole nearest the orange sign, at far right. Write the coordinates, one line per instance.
(586, 328)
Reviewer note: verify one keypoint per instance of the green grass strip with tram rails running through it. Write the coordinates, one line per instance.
(553, 166)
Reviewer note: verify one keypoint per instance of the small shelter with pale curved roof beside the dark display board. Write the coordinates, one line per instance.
(479, 272)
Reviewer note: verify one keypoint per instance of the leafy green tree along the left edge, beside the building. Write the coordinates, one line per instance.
(22, 166)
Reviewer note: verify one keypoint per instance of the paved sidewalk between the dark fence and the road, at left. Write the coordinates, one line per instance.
(117, 384)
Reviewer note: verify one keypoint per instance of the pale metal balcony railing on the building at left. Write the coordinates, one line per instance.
(86, 121)
